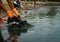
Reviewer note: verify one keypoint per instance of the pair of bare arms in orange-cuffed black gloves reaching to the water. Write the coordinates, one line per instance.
(11, 17)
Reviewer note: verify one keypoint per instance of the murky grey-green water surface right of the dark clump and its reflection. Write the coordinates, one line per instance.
(46, 22)
